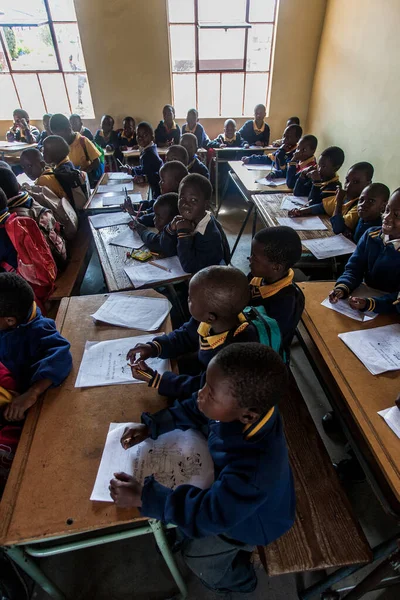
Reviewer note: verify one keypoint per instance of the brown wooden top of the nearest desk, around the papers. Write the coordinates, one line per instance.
(63, 439)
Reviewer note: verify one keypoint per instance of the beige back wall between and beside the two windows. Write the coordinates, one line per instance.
(125, 44)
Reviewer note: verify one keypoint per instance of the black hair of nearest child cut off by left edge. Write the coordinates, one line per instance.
(16, 296)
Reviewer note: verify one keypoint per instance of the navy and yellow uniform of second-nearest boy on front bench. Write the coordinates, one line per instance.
(195, 337)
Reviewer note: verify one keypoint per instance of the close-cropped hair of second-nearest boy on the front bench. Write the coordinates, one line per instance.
(226, 289)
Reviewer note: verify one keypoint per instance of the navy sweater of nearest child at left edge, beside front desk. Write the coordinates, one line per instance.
(35, 350)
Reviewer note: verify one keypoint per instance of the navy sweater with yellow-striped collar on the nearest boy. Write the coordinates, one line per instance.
(252, 499)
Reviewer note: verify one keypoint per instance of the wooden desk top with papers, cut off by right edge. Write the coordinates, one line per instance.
(364, 394)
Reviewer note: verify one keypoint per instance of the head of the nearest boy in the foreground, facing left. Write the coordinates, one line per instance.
(243, 382)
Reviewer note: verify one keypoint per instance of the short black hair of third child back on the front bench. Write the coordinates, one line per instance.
(282, 245)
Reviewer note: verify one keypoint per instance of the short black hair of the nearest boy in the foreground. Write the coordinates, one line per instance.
(257, 375)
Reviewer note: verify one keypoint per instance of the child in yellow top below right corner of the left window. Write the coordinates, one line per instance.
(82, 152)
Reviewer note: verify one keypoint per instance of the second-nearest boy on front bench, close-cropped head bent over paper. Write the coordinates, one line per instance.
(217, 297)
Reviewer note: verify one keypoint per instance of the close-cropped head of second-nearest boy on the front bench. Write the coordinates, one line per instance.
(218, 294)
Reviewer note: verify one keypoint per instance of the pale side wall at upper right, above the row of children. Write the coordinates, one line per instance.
(356, 88)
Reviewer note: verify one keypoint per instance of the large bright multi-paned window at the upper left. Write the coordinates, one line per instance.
(42, 68)
